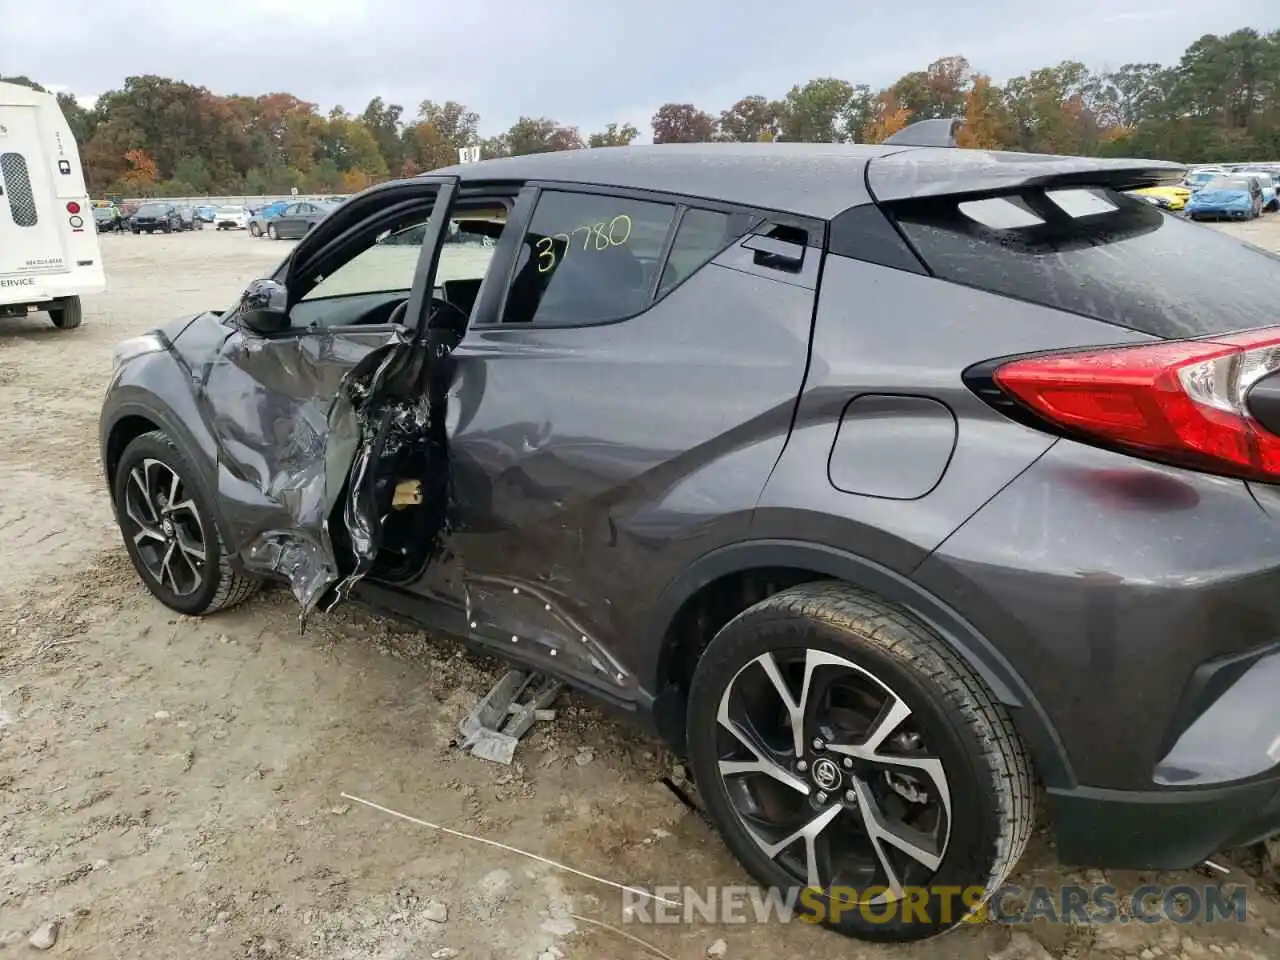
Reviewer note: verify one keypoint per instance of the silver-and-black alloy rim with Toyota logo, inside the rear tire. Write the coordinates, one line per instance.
(830, 775)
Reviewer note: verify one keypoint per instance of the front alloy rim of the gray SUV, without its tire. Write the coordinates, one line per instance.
(166, 528)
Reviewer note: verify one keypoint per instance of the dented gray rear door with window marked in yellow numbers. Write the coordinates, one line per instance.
(616, 415)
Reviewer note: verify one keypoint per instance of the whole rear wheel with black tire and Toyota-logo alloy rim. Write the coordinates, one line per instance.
(840, 747)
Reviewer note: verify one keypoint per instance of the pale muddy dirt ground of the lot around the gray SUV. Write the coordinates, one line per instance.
(172, 788)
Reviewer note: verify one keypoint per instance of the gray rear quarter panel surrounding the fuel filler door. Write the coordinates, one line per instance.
(899, 337)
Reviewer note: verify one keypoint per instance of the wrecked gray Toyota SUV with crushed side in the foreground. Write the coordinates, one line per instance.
(886, 484)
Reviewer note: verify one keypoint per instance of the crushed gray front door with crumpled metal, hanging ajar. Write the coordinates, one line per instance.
(300, 417)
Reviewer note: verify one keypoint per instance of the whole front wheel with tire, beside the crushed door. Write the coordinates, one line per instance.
(171, 531)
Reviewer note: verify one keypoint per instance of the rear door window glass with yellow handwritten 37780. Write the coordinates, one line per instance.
(588, 259)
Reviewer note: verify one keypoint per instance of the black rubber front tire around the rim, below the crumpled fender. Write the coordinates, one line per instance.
(221, 586)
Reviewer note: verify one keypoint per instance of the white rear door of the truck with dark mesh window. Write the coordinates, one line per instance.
(30, 230)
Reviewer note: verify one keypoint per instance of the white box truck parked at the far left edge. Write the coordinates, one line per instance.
(49, 248)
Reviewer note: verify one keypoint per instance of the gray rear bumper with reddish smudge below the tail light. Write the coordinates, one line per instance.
(1141, 607)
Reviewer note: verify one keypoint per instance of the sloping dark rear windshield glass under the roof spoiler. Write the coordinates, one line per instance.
(1100, 254)
